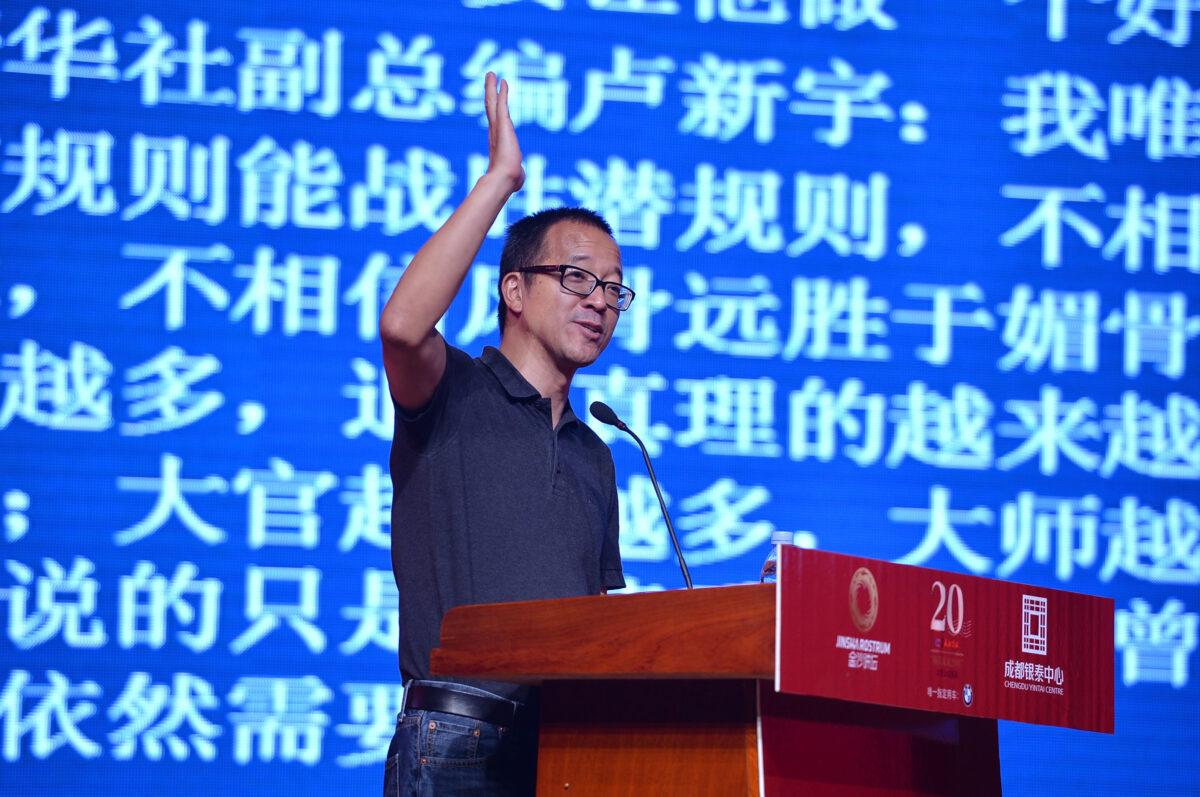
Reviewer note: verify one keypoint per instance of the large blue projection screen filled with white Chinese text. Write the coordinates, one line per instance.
(915, 280)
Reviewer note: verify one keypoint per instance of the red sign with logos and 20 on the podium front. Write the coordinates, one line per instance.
(897, 636)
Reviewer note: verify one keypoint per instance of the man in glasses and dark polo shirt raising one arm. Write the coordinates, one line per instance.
(501, 493)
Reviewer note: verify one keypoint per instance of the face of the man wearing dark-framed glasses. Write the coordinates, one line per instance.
(572, 328)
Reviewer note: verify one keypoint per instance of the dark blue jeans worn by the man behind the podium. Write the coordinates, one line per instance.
(434, 754)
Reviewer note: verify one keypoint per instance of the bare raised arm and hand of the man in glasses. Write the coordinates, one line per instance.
(413, 351)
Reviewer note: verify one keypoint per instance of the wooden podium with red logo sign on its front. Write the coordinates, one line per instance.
(831, 682)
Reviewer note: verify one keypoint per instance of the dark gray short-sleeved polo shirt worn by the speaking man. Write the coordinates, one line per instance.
(493, 505)
